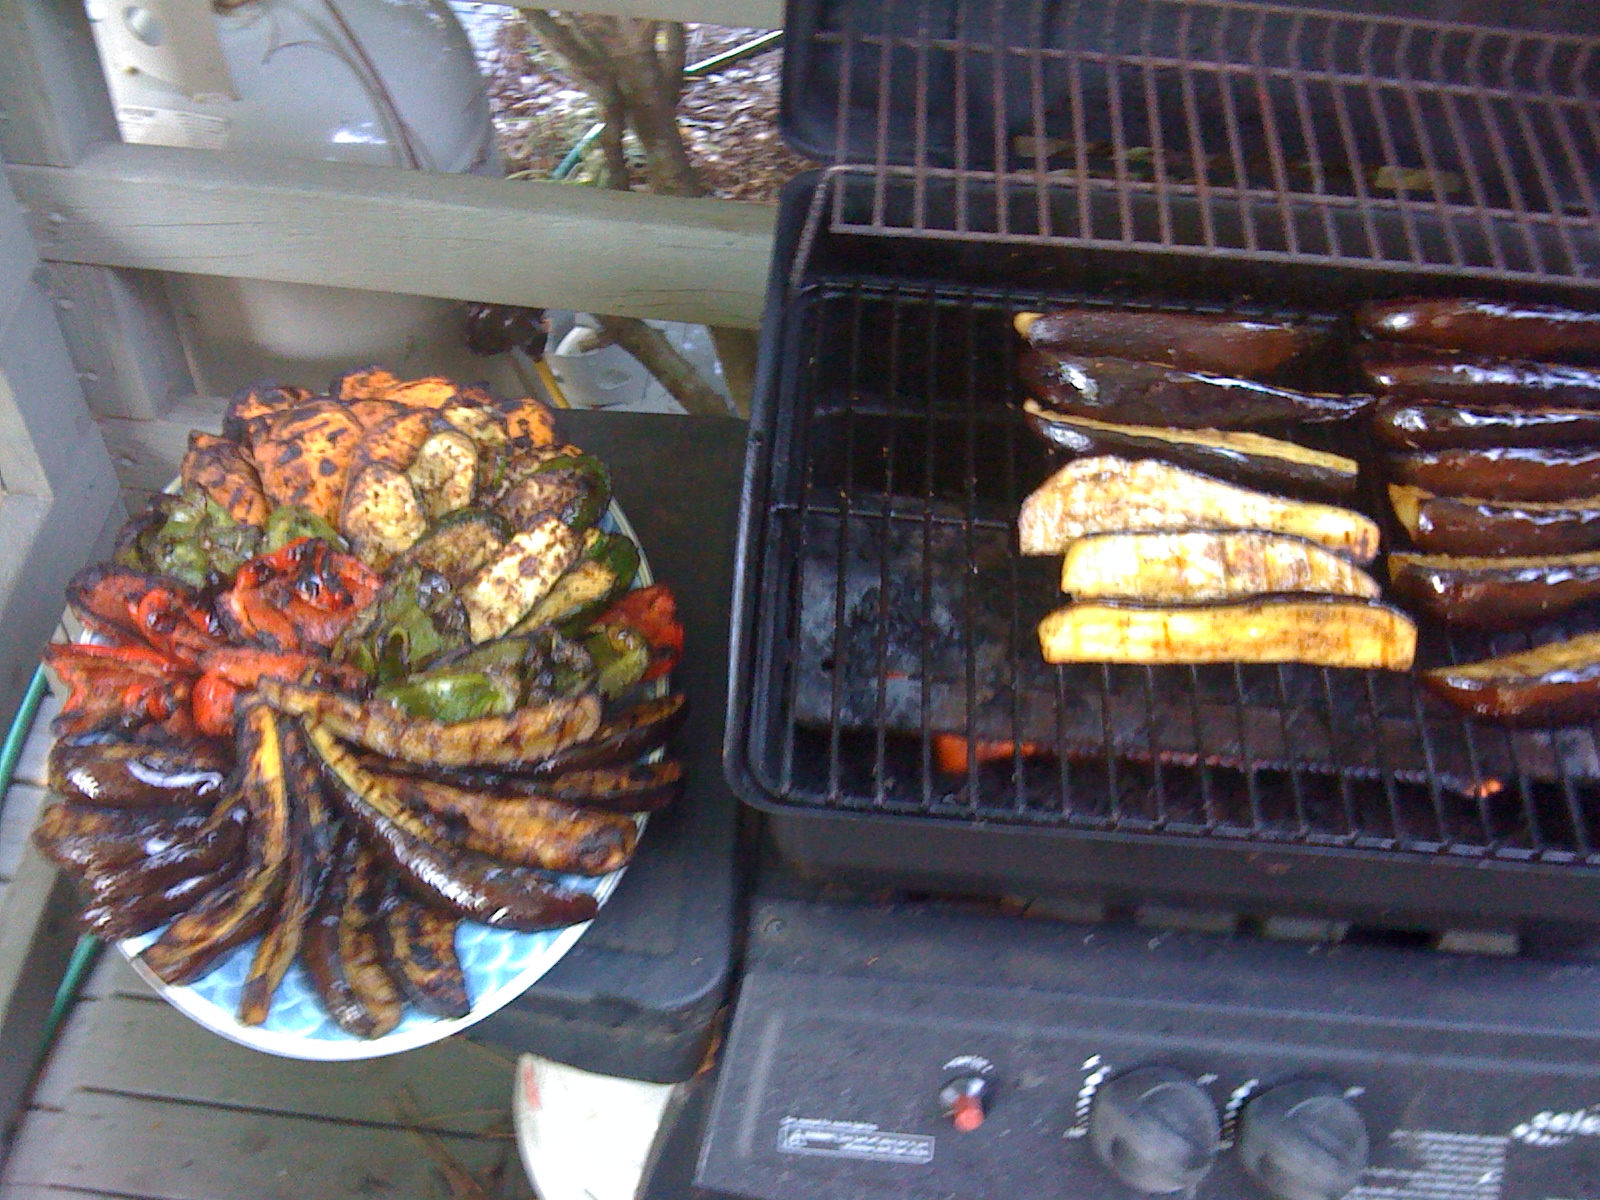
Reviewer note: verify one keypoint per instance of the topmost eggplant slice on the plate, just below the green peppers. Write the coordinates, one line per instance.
(526, 737)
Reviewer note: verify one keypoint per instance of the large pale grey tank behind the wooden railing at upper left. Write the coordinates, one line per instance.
(378, 82)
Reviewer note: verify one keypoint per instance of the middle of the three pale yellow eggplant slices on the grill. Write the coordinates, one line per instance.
(1206, 567)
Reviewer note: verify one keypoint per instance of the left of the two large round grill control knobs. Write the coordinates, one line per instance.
(1156, 1130)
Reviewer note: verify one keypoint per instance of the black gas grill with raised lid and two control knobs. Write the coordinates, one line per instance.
(1182, 930)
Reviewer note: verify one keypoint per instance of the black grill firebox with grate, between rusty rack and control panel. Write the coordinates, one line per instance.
(882, 604)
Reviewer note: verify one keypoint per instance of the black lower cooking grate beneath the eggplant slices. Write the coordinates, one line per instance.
(895, 609)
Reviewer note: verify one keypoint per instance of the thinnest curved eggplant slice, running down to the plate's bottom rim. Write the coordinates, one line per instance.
(306, 870)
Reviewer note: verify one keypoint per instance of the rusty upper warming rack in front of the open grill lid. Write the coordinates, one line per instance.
(1202, 127)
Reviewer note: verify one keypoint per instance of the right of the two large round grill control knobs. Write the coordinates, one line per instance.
(1303, 1142)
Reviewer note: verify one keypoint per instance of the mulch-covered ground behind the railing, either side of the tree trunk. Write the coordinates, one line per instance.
(729, 118)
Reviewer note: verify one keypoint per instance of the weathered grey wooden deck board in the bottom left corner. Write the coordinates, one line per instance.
(180, 1151)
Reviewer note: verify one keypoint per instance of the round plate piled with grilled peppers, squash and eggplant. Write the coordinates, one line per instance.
(369, 716)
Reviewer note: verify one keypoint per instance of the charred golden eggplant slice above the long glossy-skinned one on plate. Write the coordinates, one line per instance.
(526, 831)
